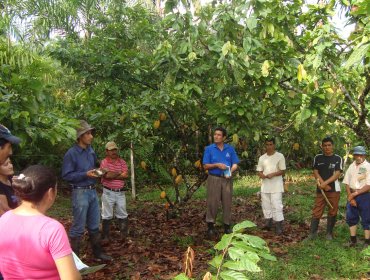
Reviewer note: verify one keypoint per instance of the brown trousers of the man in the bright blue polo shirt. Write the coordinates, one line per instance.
(219, 190)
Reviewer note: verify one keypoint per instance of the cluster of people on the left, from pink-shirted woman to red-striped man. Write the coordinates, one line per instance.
(35, 246)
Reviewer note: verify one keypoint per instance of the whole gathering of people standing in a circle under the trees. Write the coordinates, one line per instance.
(34, 246)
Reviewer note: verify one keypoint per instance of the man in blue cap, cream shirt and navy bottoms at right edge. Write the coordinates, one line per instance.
(357, 180)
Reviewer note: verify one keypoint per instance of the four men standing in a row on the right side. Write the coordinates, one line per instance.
(221, 161)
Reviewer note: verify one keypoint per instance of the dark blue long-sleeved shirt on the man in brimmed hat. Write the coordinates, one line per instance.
(76, 162)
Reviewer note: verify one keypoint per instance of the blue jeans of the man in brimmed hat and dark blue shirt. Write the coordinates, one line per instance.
(86, 212)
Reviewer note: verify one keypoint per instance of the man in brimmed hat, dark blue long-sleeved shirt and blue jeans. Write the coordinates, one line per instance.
(79, 170)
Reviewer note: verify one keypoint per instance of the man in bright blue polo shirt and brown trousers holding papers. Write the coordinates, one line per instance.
(221, 161)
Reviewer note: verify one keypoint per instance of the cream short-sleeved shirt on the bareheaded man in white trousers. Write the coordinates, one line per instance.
(270, 164)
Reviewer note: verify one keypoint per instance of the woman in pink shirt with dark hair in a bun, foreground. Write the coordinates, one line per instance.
(32, 245)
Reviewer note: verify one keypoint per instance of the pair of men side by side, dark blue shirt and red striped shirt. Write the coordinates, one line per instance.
(79, 169)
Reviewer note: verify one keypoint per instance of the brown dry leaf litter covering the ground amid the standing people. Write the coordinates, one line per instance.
(156, 243)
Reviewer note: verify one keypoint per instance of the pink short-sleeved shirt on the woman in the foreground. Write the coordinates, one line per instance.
(29, 246)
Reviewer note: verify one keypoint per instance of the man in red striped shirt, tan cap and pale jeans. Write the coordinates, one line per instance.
(113, 189)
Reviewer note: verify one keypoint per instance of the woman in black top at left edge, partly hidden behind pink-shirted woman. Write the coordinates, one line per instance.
(8, 200)
